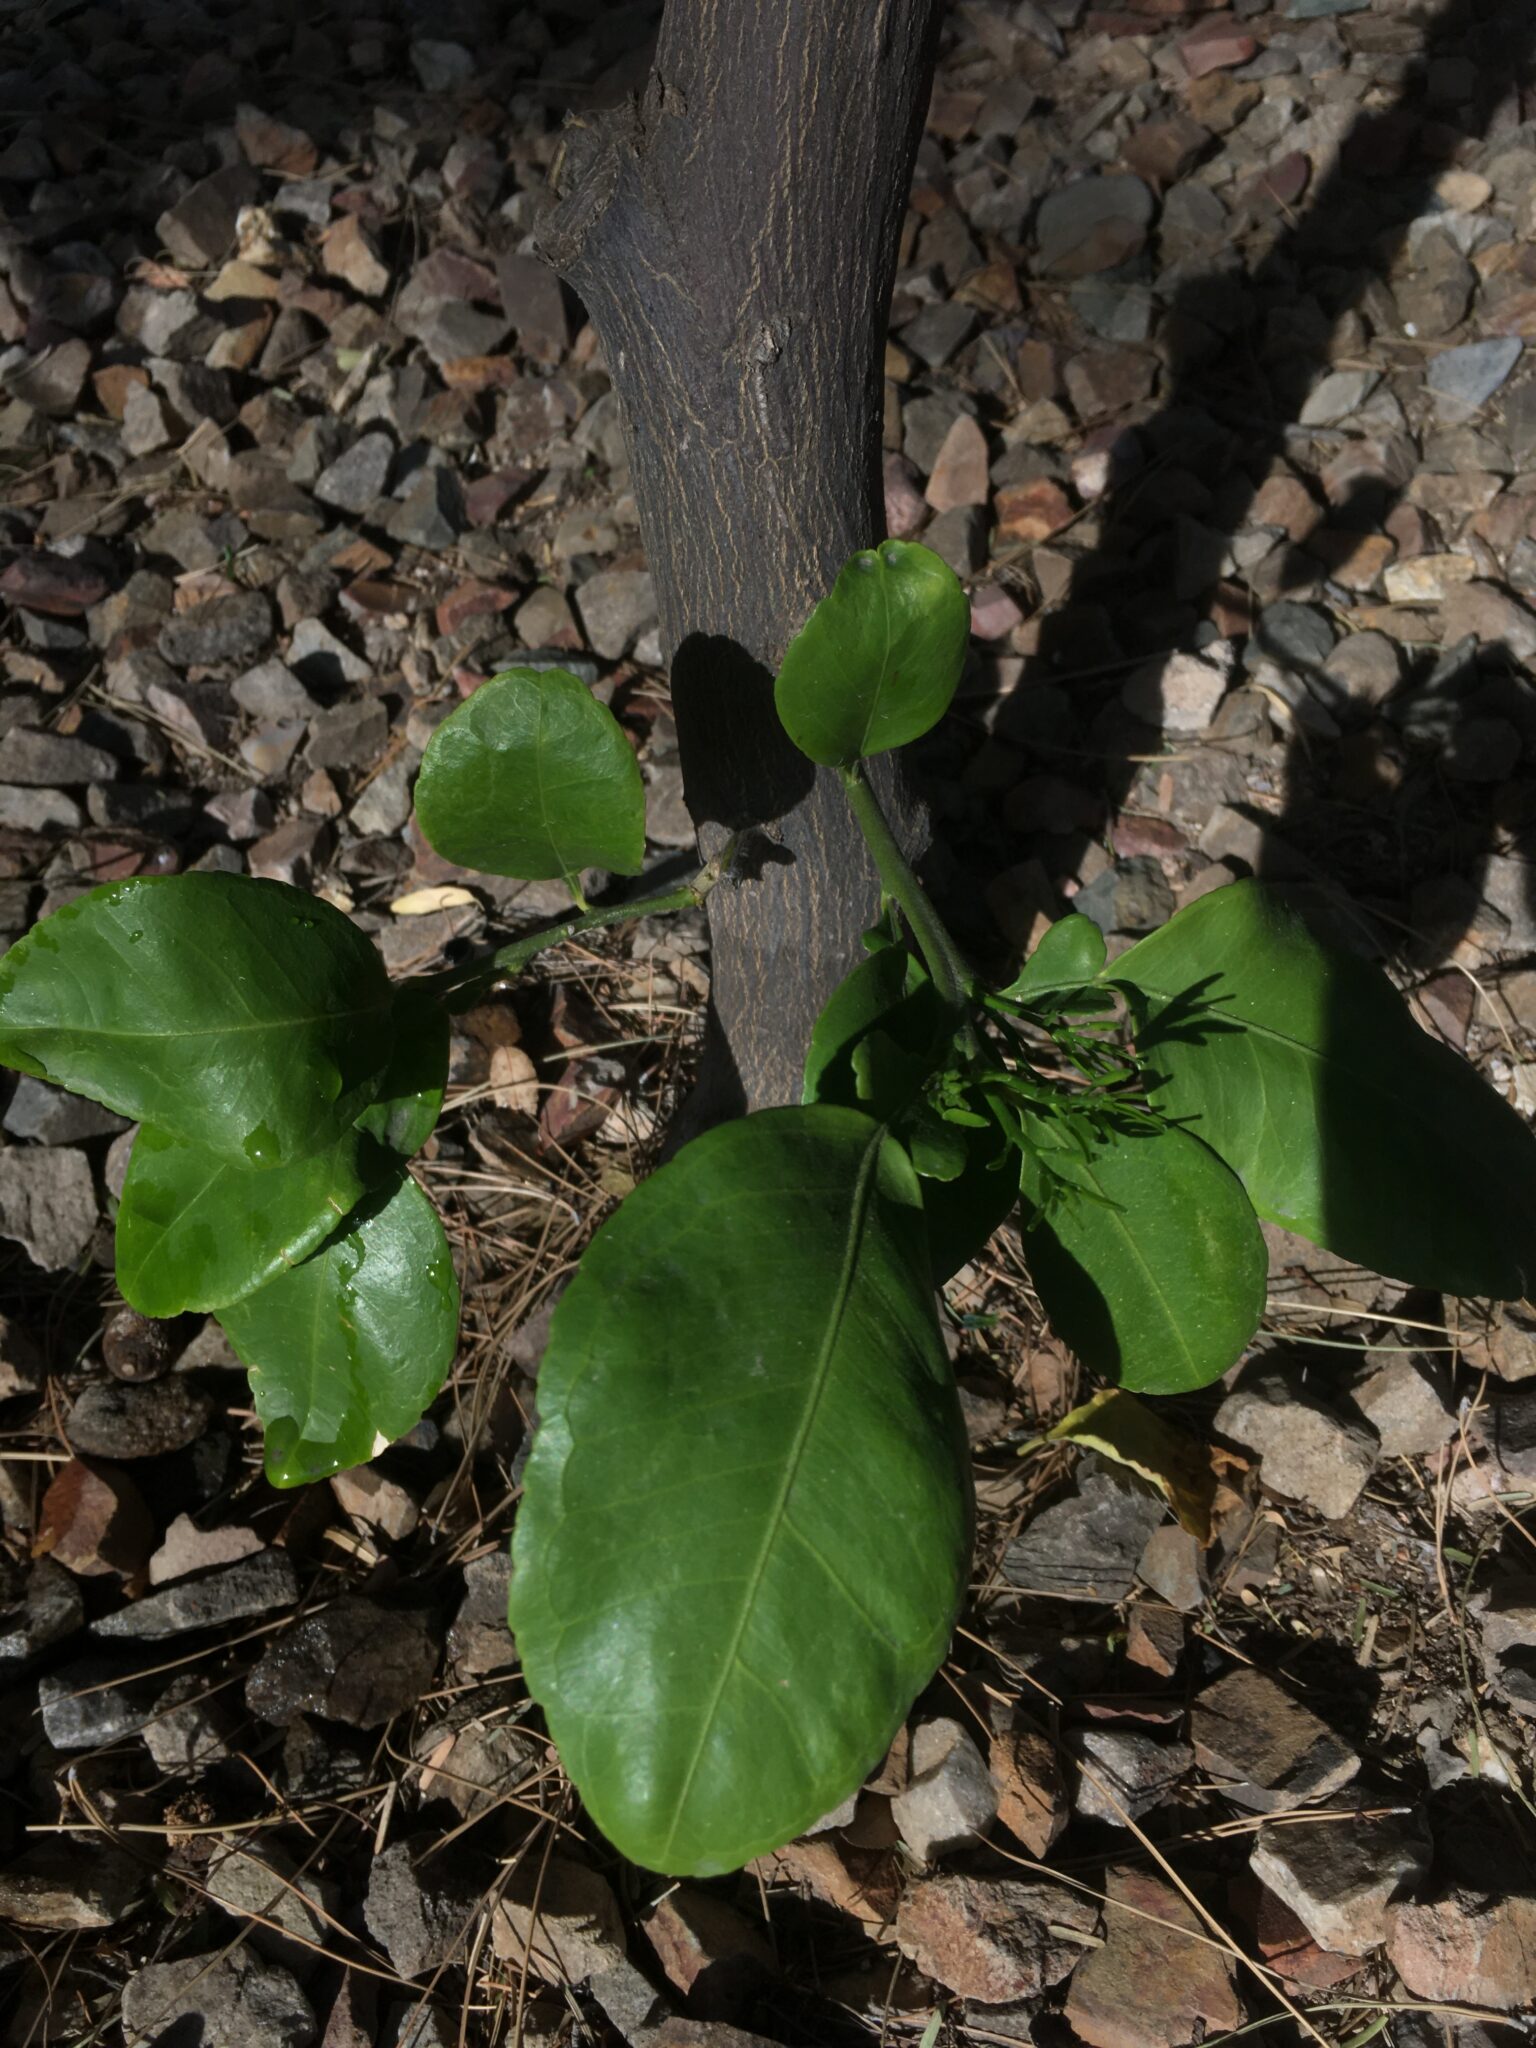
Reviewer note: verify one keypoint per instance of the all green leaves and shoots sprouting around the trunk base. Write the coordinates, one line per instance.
(746, 1517)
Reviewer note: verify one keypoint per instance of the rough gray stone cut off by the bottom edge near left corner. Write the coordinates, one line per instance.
(224, 2000)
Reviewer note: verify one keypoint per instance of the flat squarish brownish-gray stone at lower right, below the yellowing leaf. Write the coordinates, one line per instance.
(1267, 1748)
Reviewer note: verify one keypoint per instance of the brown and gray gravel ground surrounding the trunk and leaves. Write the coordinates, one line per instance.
(1211, 376)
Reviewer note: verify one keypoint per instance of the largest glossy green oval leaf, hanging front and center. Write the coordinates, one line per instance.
(744, 1529)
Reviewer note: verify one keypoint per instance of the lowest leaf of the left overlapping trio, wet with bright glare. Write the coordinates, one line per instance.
(347, 1351)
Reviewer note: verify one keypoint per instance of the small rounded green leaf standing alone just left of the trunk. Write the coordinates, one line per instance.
(534, 777)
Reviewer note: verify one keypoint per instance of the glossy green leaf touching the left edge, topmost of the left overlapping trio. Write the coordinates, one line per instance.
(234, 1015)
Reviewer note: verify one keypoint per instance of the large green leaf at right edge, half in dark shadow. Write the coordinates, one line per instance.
(1345, 1121)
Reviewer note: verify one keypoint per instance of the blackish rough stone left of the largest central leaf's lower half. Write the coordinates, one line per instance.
(357, 1662)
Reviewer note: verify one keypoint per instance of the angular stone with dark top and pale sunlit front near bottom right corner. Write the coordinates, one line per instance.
(1338, 1877)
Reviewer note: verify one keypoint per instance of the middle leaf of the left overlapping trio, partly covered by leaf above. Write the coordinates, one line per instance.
(198, 1230)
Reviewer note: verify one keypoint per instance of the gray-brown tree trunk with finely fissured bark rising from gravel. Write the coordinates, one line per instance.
(732, 237)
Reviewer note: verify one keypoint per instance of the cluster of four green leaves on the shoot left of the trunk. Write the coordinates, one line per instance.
(282, 1084)
